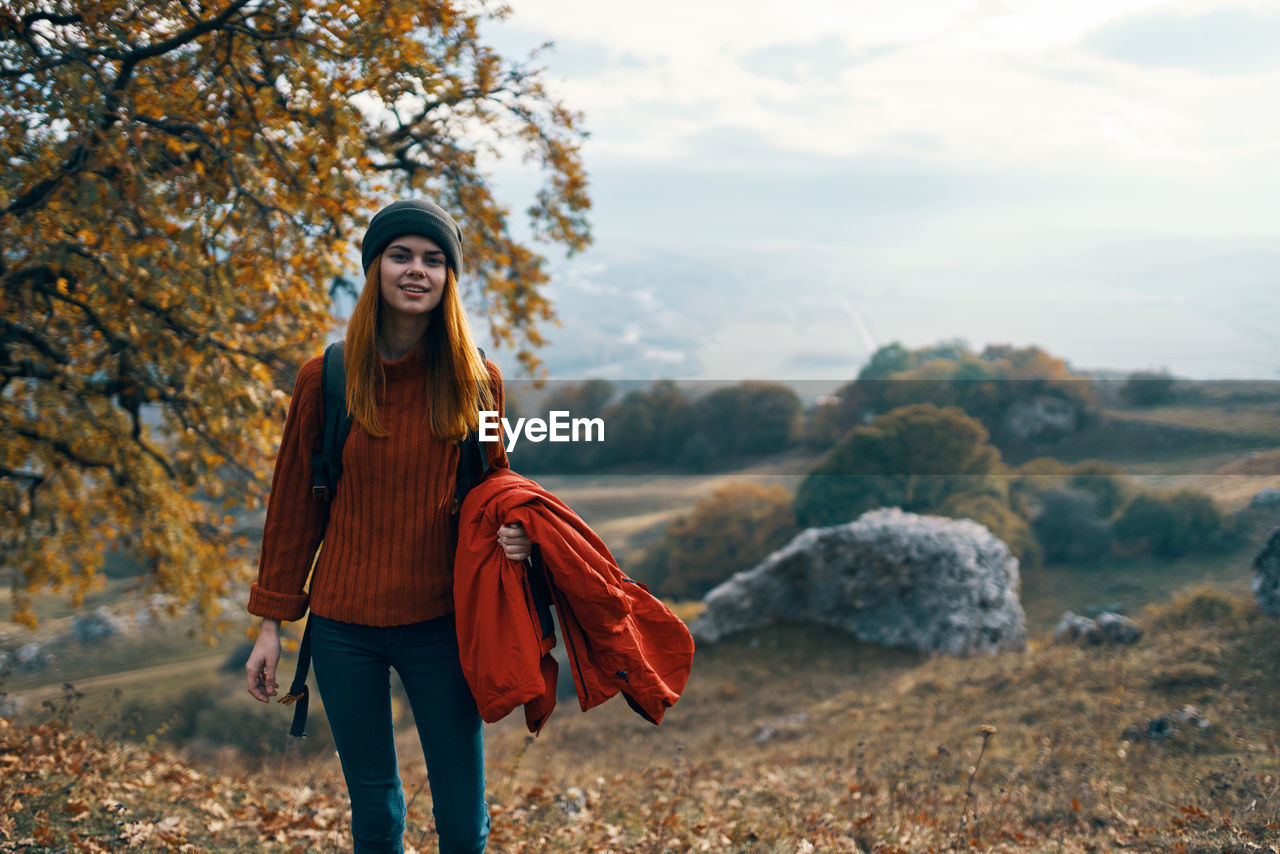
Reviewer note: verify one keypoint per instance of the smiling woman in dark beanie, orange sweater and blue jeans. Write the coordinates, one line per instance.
(381, 595)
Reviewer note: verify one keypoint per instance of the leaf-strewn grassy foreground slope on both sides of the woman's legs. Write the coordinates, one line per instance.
(787, 741)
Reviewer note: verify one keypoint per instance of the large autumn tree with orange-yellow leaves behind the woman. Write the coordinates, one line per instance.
(184, 182)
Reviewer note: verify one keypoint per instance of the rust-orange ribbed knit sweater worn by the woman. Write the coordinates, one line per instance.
(388, 551)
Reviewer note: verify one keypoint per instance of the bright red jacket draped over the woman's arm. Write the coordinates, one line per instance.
(619, 637)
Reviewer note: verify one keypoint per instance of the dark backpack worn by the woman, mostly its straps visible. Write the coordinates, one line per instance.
(326, 471)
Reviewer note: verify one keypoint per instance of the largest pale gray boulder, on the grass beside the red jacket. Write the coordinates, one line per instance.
(889, 578)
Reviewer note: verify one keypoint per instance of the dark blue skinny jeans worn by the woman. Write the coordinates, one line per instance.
(353, 666)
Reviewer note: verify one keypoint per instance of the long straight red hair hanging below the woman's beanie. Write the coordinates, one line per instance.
(458, 381)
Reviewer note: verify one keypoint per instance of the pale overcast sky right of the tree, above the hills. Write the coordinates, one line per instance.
(781, 189)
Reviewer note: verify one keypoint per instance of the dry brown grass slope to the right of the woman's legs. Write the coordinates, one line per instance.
(888, 753)
